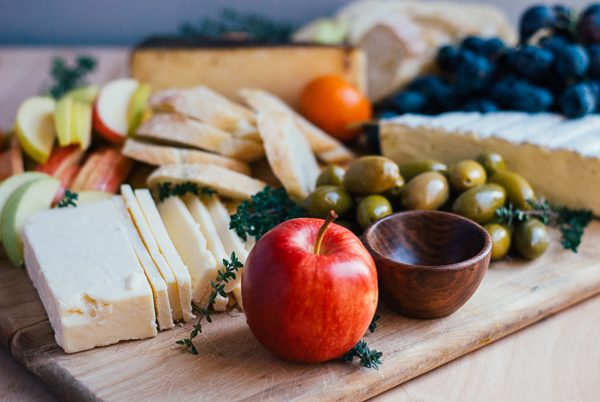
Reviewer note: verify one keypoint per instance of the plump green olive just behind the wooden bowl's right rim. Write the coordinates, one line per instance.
(480, 203)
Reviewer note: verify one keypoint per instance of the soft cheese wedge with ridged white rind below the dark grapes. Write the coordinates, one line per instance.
(558, 156)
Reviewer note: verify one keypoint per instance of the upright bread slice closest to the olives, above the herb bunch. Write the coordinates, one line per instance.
(289, 154)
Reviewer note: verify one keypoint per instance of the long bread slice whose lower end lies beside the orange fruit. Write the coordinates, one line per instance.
(320, 142)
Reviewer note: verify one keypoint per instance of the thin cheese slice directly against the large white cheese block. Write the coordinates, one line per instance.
(157, 282)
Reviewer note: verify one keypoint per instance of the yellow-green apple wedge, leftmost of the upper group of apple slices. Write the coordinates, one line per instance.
(35, 127)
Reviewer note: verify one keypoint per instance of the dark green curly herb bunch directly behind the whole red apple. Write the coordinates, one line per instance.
(267, 209)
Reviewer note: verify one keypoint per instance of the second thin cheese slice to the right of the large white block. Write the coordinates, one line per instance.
(152, 246)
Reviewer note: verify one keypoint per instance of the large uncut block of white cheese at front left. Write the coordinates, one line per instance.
(88, 276)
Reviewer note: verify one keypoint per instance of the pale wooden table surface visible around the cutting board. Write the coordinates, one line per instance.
(555, 359)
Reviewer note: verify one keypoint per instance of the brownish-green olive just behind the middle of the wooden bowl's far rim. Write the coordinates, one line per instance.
(428, 190)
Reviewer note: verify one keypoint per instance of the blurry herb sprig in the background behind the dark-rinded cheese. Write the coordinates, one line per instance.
(253, 26)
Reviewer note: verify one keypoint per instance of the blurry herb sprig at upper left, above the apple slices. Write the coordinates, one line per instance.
(67, 78)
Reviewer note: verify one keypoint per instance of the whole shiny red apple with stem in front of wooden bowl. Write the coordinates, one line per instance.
(305, 302)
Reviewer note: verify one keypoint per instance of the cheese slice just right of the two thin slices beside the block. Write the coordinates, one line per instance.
(190, 243)
